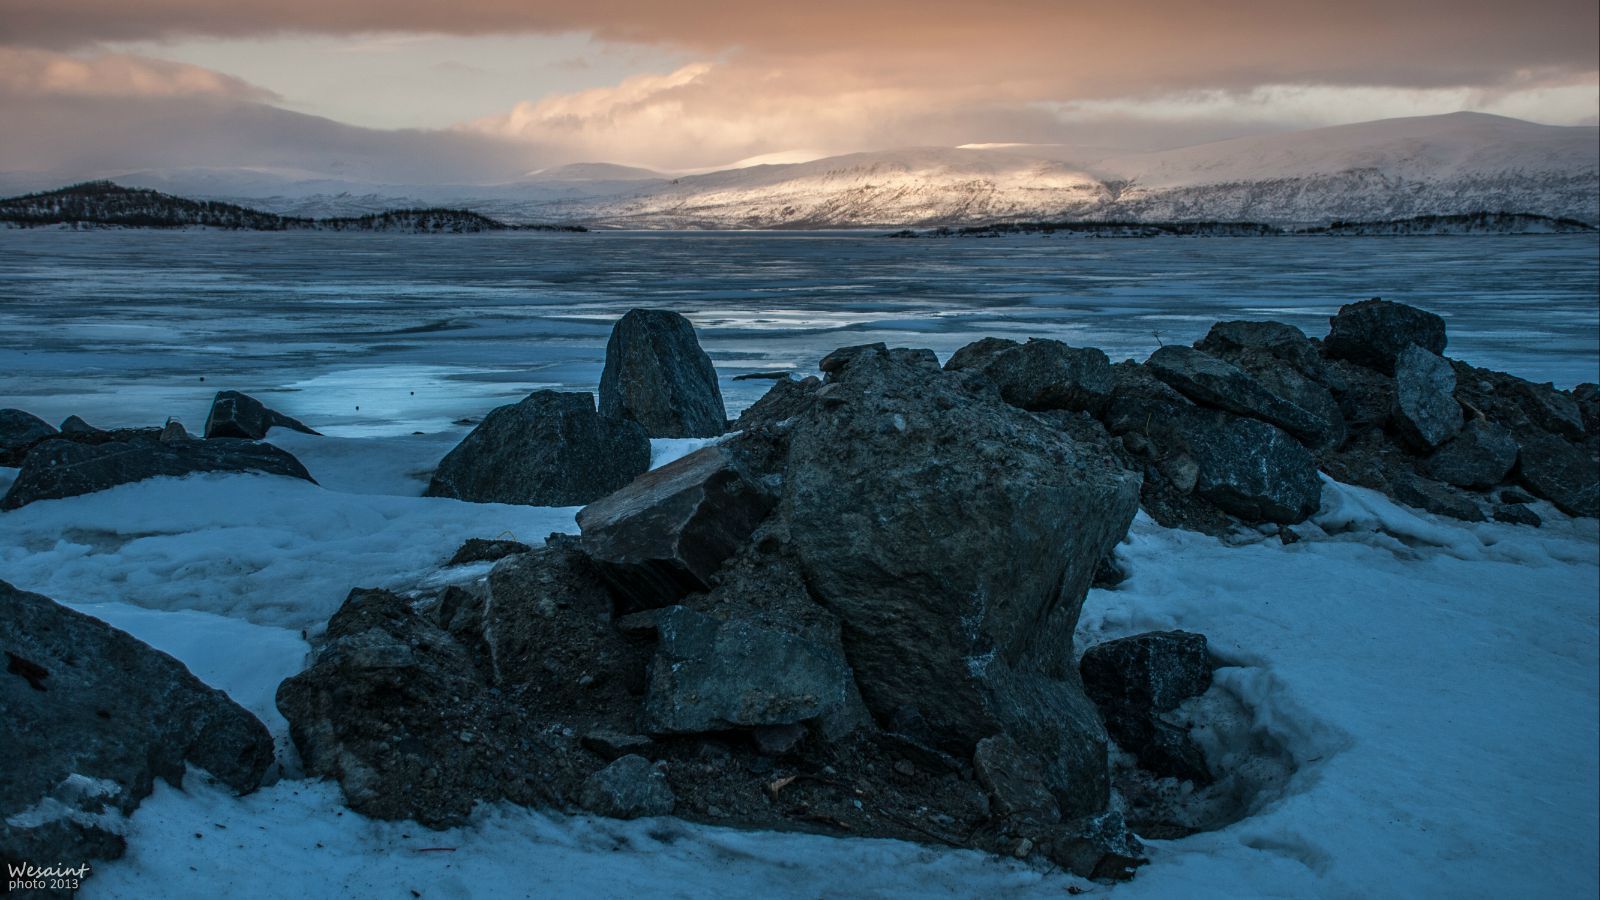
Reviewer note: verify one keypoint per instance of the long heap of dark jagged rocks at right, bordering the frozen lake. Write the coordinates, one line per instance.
(1234, 430)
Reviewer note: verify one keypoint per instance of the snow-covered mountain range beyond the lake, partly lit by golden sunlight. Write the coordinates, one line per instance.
(1369, 172)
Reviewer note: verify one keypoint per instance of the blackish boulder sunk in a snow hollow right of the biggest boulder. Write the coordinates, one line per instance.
(1135, 680)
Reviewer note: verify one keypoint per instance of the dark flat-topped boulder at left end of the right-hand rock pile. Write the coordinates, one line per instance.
(1039, 376)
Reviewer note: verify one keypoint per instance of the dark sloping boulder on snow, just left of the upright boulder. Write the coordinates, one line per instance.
(548, 451)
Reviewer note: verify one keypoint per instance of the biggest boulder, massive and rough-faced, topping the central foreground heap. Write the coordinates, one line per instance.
(956, 537)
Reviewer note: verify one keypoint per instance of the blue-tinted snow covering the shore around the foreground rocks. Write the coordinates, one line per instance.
(1434, 680)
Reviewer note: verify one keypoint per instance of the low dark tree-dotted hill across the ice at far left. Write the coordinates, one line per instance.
(105, 204)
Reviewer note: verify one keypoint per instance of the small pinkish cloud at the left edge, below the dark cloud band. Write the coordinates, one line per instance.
(41, 73)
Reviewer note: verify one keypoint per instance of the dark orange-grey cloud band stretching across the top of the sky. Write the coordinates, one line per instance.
(1049, 49)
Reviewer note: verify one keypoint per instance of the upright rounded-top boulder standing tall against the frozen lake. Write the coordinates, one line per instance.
(658, 376)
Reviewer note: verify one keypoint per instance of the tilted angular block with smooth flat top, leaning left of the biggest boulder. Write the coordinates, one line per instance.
(665, 536)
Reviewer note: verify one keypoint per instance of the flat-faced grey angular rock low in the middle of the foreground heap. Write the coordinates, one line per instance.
(713, 677)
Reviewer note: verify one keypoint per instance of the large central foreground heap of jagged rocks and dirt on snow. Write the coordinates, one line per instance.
(855, 621)
